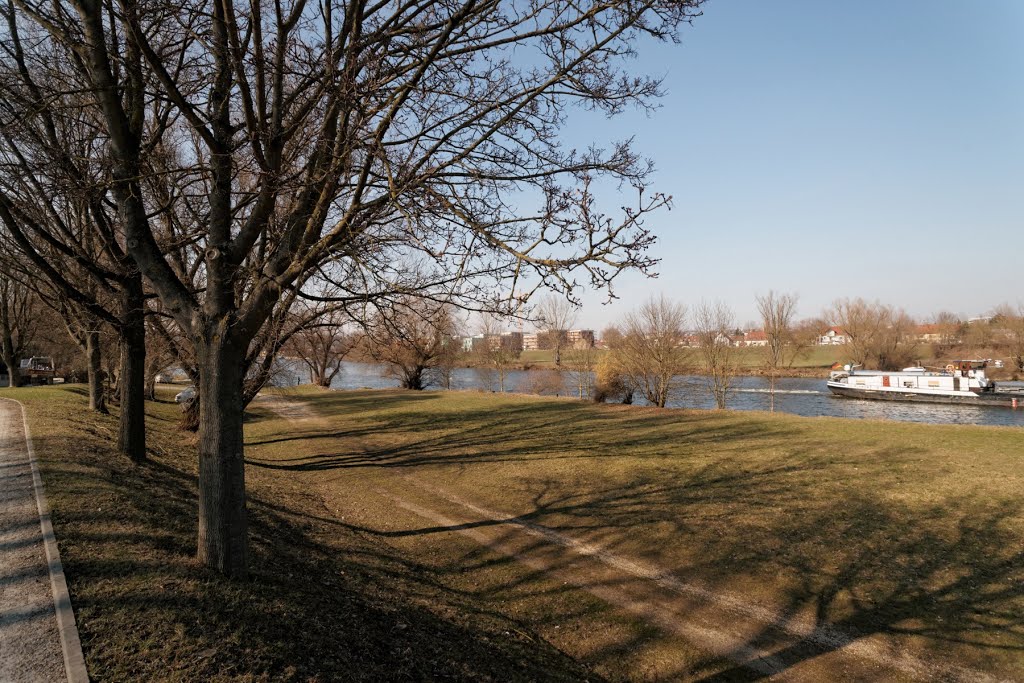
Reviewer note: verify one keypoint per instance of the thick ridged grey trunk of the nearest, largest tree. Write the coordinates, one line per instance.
(223, 525)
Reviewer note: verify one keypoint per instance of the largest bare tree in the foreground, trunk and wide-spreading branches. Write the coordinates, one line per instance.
(344, 134)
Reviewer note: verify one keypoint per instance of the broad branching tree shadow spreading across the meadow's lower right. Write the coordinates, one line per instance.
(884, 587)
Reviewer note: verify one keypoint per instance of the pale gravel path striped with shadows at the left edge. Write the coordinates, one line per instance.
(30, 645)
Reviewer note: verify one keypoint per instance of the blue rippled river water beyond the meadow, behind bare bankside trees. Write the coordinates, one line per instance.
(796, 396)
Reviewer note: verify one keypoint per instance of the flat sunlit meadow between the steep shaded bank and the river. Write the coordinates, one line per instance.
(907, 533)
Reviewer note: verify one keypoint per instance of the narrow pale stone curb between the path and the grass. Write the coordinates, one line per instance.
(71, 645)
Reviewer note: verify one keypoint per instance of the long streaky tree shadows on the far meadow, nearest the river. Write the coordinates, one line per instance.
(519, 431)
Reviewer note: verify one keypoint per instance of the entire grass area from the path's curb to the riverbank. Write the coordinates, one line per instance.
(472, 537)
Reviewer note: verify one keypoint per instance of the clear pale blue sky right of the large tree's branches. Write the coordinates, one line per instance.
(835, 150)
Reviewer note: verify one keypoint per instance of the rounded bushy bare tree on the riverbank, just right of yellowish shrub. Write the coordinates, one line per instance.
(651, 355)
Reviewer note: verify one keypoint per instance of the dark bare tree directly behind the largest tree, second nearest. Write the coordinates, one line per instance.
(56, 218)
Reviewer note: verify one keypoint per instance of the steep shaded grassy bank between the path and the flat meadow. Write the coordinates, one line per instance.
(322, 605)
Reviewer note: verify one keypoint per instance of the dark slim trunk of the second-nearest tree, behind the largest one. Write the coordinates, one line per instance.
(132, 378)
